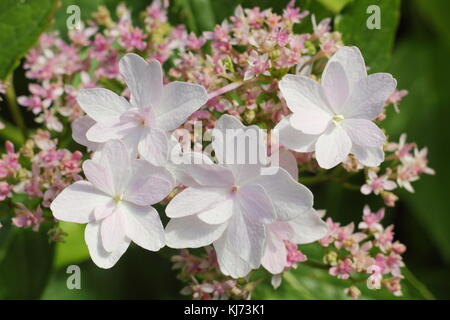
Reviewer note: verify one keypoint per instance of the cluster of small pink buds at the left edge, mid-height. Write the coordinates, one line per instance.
(38, 171)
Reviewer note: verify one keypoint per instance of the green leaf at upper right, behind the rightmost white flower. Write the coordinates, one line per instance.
(375, 44)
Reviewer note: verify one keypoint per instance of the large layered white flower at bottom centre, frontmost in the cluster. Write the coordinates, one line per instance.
(229, 204)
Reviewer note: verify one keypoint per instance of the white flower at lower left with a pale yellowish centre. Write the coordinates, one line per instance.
(115, 203)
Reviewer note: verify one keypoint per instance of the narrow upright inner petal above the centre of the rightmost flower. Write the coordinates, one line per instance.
(336, 86)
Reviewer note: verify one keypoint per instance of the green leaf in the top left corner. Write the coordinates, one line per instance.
(21, 23)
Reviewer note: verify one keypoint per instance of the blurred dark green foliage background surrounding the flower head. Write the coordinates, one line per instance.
(413, 44)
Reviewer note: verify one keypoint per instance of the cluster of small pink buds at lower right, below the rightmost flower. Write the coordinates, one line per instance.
(371, 250)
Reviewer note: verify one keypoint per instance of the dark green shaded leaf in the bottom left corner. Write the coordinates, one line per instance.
(25, 265)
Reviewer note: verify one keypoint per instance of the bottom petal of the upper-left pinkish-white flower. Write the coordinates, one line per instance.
(154, 146)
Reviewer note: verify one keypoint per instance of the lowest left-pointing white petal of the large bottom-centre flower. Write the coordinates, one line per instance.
(191, 232)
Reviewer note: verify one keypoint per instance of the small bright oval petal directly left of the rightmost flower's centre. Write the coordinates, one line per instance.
(310, 121)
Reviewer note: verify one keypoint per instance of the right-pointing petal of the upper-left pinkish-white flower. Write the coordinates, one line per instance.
(179, 100)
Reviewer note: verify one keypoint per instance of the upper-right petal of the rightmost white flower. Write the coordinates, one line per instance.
(368, 96)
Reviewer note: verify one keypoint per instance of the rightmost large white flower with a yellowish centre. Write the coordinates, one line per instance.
(334, 117)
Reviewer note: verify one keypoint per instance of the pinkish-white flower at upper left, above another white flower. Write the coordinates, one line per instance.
(154, 110)
